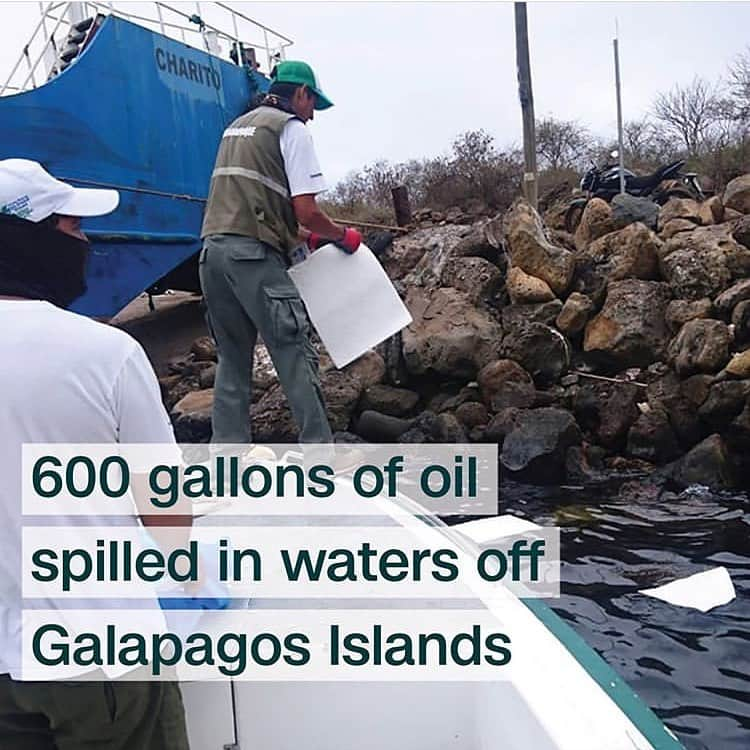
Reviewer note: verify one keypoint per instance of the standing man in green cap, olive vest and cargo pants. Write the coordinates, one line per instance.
(262, 192)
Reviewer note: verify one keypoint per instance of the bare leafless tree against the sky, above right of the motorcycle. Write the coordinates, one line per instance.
(690, 113)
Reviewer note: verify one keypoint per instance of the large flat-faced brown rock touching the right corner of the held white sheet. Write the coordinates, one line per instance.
(449, 335)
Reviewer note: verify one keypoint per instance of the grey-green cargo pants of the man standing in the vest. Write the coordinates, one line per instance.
(247, 292)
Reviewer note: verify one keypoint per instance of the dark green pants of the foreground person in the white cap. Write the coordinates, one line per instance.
(114, 715)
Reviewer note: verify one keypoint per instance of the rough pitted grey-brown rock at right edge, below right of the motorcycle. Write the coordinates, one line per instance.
(704, 262)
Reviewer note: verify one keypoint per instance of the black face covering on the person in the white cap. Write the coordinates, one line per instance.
(38, 261)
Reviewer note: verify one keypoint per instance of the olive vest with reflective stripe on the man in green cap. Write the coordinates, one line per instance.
(249, 192)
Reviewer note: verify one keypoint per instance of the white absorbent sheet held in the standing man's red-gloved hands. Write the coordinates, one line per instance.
(350, 299)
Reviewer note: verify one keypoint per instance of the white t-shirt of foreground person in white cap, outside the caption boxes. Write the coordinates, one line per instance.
(63, 379)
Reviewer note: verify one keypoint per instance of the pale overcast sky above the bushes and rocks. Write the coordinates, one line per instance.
(408, 77)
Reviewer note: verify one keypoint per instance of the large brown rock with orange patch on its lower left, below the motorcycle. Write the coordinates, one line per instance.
(631, 329)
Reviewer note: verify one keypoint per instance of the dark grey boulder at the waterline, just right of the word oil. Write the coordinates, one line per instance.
(536, 449)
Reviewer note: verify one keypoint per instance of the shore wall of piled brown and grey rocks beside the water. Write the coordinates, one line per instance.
(622, 348)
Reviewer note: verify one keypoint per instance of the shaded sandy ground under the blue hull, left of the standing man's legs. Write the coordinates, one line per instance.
(167, 332)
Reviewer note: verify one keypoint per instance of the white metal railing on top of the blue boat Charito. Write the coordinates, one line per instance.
(209, 27)
